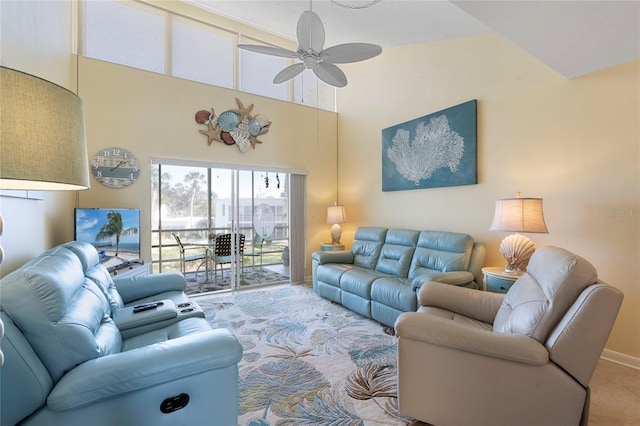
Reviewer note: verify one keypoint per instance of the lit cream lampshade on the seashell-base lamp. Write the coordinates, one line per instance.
(519, 215)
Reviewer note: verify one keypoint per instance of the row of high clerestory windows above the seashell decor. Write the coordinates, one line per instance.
(149, 37)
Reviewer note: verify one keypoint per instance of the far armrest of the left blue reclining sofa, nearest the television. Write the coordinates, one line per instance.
(141, 286)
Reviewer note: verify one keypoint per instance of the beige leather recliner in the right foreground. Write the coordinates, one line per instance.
(470, 357)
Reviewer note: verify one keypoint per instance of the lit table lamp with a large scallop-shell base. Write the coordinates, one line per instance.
(518, 215)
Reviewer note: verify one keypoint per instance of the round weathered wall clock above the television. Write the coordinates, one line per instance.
(115, 167)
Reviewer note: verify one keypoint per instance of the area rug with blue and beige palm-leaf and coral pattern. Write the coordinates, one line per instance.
(308, 361)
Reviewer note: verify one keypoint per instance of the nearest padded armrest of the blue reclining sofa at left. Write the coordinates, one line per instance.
(104, 378)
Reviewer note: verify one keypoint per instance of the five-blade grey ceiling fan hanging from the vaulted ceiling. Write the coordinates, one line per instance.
(312, 54)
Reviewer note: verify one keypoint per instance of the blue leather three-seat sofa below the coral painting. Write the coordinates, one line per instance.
(380, 276)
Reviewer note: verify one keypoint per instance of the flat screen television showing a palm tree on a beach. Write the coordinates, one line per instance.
(115, 233)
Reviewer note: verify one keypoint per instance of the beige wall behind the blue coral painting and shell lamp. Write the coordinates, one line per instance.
(573, 143)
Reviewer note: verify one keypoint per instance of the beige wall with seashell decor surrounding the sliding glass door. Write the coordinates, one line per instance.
(152, 115)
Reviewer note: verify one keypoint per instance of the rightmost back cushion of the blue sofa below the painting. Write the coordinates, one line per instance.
(441, 251)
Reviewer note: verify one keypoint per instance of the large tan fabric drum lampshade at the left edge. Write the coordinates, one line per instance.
(42, 135)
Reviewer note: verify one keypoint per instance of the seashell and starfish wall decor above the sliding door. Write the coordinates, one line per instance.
(234, 127)
